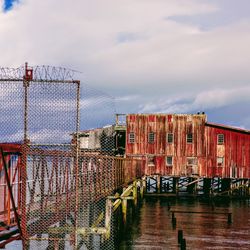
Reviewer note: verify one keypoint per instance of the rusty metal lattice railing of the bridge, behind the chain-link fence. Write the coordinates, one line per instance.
(51, 187)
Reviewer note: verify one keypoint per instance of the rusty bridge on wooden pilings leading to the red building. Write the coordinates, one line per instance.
(59, 196)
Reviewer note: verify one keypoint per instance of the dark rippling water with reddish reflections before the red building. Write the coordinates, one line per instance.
(151, 227)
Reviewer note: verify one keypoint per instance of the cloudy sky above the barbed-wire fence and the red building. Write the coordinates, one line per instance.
(168, 56)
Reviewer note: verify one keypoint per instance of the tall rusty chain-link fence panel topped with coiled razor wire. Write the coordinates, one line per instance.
(40, 113)
